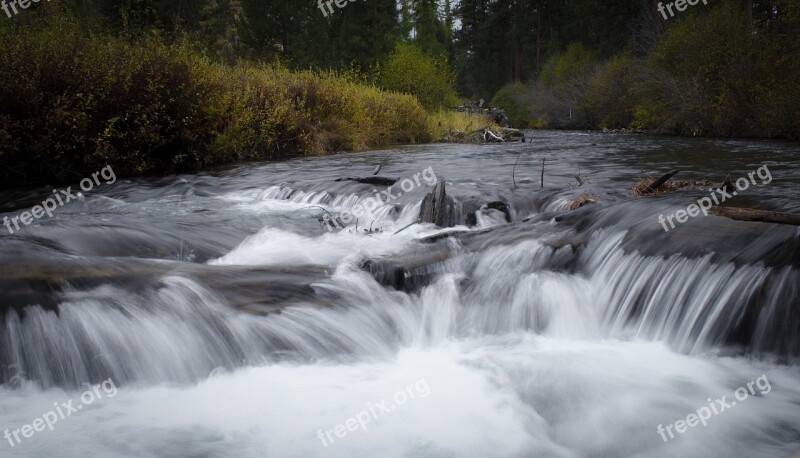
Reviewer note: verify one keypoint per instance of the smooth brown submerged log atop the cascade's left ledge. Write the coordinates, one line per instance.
(46, 281)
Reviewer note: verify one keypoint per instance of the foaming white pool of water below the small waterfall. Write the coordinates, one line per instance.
(511, 395)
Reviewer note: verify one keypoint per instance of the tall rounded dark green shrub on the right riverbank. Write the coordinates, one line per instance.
(707, 64)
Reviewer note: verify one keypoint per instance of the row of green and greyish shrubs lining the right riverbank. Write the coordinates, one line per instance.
(708, 74)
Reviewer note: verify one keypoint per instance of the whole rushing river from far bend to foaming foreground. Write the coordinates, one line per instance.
(232, 323)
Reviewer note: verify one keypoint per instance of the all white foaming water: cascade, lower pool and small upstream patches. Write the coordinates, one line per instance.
(527, 360)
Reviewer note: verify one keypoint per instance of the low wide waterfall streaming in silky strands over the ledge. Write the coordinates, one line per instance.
(181, 331)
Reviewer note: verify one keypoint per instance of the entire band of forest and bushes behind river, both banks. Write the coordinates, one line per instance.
(157, 85)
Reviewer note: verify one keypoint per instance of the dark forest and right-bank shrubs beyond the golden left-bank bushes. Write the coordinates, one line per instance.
(729, 68)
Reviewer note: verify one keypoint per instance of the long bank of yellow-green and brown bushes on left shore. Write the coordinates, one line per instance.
(70, 104)
